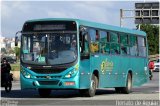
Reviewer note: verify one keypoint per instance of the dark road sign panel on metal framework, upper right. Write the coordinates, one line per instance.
(147, 13)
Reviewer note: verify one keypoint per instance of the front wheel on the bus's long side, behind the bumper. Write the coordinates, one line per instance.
(92, 90)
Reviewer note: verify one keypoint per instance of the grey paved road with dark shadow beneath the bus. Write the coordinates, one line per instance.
(149, 91)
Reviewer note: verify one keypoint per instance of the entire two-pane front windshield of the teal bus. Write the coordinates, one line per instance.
(49, 49)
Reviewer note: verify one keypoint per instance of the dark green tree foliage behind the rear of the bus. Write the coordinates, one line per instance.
(153, 37)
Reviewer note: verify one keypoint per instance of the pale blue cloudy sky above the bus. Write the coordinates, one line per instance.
(15, 13)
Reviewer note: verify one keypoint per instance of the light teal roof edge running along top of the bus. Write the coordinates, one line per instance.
(95, 25)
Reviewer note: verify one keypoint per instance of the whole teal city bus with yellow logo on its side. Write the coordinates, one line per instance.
(75, 54)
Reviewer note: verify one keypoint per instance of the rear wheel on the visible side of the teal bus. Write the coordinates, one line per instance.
(128, 87)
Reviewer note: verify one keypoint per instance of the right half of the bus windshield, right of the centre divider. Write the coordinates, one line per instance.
(62, 48)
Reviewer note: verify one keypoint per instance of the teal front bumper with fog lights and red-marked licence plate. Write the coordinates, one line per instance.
(71, 83)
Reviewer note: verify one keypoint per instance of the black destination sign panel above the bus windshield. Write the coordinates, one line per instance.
(42, 26)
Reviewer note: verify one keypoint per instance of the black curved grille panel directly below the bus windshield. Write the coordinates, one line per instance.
(48, 71)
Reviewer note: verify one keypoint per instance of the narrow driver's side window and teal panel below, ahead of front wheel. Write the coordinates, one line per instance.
(84, 60)
